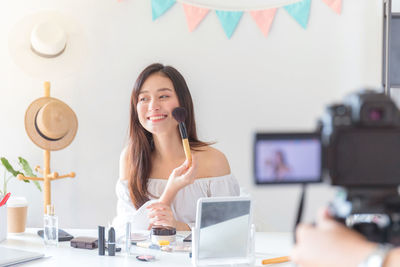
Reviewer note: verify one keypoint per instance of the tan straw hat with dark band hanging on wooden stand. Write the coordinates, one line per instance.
(50, 123)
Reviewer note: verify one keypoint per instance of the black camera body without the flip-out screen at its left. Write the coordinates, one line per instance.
(361, 139)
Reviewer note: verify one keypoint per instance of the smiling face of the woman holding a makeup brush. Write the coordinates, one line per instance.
(157, 99)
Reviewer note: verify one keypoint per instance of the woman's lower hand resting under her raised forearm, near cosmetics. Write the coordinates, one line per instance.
(162, 215)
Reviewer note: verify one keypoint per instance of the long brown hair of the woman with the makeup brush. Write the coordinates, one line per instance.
(141, 145)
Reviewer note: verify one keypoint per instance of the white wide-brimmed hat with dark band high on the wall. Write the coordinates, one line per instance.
(47, 45)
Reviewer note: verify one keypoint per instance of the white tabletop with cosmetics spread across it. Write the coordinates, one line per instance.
(268, 245)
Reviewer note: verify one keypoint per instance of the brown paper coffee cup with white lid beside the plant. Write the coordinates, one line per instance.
(17, 208)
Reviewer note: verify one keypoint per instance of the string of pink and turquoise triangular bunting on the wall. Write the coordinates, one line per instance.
(229, 20)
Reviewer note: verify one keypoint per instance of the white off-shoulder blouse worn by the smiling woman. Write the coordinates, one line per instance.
(183, 206)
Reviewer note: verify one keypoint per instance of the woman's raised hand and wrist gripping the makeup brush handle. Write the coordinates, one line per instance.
(179, 178)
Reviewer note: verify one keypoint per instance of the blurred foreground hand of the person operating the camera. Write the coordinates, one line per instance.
(329, 243)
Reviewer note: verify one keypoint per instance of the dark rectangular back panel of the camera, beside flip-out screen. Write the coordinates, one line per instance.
(366, 157)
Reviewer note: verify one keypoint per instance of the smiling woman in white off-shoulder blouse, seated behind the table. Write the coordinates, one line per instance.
(156, 185)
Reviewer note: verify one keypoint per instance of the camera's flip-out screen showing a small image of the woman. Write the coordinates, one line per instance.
(287, 158)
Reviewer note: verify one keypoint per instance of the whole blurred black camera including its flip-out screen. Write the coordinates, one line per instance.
(357, 146)
